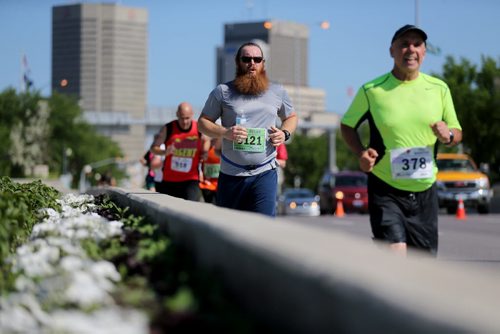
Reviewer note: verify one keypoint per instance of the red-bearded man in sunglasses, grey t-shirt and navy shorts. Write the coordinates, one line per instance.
(248, 107)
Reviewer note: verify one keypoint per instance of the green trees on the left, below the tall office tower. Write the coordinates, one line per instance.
(35, 130)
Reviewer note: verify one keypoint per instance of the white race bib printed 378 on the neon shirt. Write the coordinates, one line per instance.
(411, 163)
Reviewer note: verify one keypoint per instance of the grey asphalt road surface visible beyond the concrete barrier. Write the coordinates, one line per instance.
(475, 240)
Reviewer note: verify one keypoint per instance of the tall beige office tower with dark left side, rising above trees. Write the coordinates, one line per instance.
(99, 55)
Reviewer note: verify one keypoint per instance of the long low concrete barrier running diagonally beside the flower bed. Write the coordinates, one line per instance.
(302, 279)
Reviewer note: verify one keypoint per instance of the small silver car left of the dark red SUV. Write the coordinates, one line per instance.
(298, 201)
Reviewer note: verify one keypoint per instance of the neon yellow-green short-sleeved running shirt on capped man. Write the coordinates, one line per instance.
(399, 114)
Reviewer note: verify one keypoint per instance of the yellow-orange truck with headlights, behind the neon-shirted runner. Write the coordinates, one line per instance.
(459, 177)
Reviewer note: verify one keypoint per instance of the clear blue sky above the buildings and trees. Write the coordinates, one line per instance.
(183, 36)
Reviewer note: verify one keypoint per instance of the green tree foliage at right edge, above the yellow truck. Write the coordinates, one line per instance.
(476, 95)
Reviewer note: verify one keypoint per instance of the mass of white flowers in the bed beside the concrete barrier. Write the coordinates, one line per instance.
(55, 272)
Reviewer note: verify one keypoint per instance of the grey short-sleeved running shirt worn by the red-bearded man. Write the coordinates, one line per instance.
(260, 111)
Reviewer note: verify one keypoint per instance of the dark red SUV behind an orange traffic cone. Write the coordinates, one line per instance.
(351, 186)
